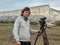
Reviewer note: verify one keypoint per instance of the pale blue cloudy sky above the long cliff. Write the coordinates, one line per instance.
(6, 5)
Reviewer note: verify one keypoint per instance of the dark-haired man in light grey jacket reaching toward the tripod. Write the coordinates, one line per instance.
(22, 29)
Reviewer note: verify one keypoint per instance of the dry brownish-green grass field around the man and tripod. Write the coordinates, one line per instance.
(6, 37)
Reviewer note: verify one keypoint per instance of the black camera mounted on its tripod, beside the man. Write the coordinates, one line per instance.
(43, 28)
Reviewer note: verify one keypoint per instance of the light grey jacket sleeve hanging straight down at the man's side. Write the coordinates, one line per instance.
(16, 29)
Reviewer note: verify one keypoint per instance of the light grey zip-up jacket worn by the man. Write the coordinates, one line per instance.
(21, 30)
